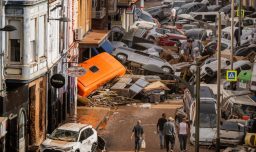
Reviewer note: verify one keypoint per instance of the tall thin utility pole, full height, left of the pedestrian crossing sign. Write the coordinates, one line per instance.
(218, 84)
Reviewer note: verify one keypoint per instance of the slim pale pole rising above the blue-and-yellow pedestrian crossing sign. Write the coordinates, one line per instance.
(232, 34)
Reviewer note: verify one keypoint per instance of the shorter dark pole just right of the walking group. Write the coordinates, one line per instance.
(197, 105)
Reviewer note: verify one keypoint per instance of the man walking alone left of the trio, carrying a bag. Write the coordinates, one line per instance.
(137, 132)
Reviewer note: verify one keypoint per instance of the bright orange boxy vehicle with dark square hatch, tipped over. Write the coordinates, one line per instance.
(99, 70)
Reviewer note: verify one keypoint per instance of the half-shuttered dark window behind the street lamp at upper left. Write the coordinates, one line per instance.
(15, 45)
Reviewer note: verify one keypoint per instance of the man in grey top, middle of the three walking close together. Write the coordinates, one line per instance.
(169, 134)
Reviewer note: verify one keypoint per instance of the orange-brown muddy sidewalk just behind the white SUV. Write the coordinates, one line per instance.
(95, 116)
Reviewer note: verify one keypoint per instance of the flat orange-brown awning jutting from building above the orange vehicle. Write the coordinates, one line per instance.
(93, 39)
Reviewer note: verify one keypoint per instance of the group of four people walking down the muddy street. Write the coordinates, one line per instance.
(166, 130)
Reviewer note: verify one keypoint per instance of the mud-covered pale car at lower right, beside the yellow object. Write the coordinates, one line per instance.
(232, 132)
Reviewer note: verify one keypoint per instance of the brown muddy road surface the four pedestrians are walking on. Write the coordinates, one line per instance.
(119, 127)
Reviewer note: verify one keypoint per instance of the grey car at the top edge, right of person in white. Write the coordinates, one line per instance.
(192, 7)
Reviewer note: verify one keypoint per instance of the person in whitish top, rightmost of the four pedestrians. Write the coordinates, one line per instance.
(183, 130)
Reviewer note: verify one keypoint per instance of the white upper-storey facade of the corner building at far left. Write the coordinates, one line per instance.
(40, 42)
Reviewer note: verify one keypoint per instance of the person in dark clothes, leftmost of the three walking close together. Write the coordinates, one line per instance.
(160, 128)
